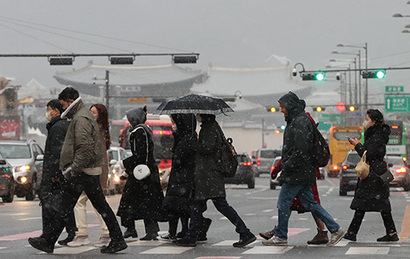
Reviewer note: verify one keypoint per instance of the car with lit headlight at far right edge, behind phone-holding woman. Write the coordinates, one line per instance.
(400, 172)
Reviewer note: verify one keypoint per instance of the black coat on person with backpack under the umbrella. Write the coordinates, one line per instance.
(208, 180)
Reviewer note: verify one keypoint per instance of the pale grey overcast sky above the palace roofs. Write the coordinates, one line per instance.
(230, 33)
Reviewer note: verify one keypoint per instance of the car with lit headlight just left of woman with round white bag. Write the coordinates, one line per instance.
(115, 181)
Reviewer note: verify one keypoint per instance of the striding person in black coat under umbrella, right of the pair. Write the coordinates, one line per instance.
(209, 184)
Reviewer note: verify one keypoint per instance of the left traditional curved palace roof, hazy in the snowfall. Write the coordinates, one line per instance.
(133, 81)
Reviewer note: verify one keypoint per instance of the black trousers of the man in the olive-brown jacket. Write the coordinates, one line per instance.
(90, 184)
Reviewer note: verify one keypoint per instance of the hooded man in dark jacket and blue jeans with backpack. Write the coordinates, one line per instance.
(298, 171)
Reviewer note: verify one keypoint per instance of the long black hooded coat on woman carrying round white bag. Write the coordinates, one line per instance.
(141, 199)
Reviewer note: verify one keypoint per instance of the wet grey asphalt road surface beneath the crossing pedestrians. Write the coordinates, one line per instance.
(22, 219)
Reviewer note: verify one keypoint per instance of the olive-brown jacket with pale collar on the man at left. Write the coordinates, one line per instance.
(82, 145)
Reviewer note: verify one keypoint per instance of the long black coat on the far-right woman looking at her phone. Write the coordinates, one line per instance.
(372, 194)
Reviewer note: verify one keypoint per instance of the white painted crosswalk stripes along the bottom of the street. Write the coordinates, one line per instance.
(161, 247)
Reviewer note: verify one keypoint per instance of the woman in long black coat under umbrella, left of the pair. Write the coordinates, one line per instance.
(177, 200)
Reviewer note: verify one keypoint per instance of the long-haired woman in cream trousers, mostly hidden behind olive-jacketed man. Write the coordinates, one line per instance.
(100, 113)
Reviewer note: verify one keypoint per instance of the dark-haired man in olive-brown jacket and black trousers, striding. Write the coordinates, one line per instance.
(82, 157)
